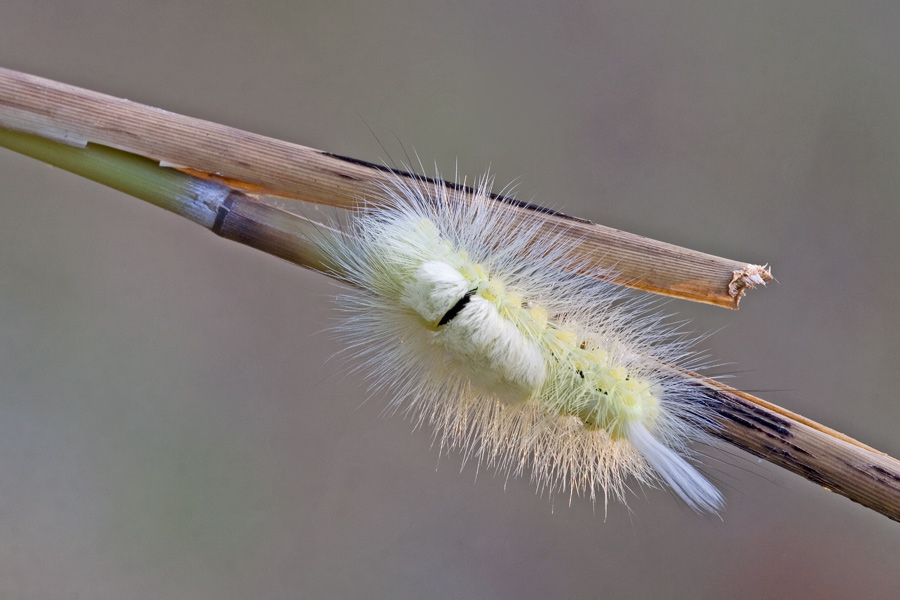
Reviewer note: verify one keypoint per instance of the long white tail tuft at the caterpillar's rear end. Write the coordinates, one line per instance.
(681, 476)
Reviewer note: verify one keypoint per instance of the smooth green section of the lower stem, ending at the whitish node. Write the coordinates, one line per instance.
(140, 177)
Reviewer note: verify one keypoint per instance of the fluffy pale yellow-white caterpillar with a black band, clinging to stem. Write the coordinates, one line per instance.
(475, 328)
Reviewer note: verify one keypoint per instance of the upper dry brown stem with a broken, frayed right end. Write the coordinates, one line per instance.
(276, 168)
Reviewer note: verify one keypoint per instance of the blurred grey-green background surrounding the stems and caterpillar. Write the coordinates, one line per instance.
(172, 424)
